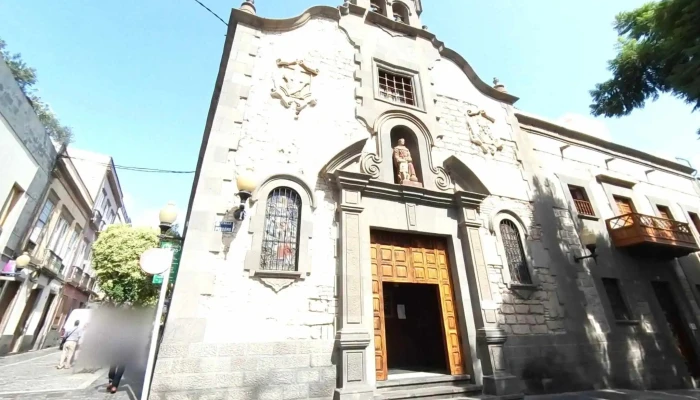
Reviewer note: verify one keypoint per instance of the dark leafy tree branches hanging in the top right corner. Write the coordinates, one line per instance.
(658, 52)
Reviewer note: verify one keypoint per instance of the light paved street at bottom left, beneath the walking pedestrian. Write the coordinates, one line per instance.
(34, 376)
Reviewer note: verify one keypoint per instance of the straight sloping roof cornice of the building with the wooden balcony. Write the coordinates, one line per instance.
(543, 127)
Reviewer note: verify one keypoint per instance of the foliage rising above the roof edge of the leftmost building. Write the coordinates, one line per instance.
(25, 77)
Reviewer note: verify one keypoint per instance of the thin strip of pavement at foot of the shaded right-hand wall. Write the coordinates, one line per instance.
(622, 394)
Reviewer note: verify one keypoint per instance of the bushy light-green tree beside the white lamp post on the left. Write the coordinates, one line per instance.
(115, 257)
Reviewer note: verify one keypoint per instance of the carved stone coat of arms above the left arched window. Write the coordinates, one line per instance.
(292, 84)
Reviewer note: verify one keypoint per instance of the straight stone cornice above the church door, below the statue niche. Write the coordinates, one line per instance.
(376, 189)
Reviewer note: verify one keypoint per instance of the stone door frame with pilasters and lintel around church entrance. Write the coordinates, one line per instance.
(363, 204)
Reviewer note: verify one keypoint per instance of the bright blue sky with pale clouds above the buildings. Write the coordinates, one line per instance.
(134, 78)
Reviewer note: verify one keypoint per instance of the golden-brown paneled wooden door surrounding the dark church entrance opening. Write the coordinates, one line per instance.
(413, 259)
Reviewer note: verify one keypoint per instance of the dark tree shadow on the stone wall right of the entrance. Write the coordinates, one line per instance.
(595, 352)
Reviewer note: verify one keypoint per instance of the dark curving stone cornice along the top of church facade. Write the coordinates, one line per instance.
(287, 24)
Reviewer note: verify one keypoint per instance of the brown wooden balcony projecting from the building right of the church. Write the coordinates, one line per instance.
(652, 236)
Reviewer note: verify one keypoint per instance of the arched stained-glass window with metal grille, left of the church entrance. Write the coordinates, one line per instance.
(280, 242)
